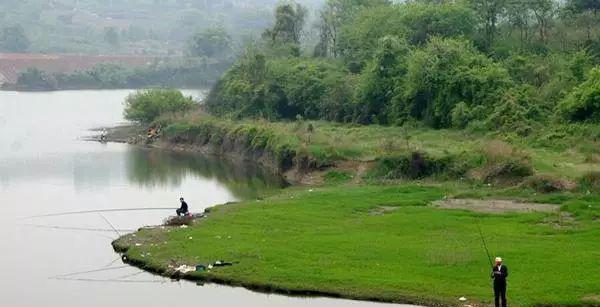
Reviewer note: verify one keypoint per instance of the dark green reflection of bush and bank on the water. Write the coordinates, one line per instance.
(160, 168)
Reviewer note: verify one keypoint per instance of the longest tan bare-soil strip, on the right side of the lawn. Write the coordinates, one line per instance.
(494, 205)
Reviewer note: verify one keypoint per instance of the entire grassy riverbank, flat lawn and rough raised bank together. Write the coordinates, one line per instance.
(368, 227)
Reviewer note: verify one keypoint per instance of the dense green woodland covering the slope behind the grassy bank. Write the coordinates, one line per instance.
(482, 65)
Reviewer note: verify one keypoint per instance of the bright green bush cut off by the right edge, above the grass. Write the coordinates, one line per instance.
(583, 103)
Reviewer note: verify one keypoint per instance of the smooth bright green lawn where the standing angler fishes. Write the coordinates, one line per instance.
(384, 242)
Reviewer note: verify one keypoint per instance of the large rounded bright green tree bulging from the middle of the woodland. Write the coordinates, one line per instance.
(444, 73)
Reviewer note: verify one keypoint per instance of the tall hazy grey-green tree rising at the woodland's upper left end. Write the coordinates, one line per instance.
(289, 21)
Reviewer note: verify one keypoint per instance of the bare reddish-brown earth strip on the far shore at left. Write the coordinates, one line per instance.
(11, 64)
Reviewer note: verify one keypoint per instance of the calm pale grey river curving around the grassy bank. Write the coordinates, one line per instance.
(46, 167)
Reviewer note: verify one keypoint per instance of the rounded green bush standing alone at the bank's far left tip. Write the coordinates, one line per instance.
(145, 106)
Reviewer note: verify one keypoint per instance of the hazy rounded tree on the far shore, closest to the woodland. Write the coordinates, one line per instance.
(212, 42)
